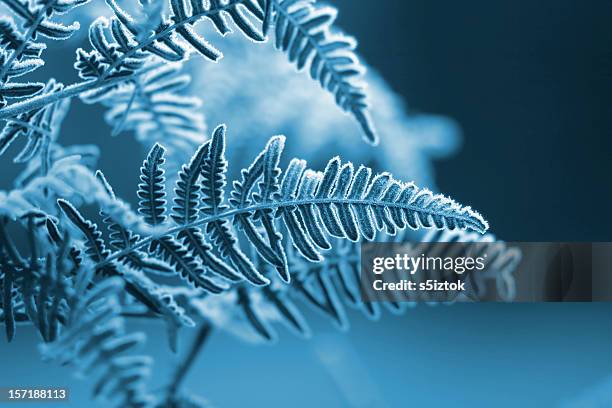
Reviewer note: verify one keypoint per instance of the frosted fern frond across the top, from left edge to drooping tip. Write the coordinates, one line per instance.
(123, 45)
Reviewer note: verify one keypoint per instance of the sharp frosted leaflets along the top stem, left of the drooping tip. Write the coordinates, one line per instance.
(121, 44)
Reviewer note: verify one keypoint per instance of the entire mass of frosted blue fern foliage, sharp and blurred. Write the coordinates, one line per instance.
(213, 241)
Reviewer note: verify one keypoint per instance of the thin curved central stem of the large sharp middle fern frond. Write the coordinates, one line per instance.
(267, 206)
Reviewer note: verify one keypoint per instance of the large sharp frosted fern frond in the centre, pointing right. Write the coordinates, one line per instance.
(312, 207)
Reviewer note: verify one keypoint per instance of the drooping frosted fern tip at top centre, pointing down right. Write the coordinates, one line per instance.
(302, 29)
